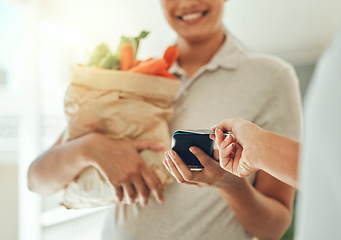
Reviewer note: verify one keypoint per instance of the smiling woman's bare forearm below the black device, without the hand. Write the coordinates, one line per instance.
(261, 216)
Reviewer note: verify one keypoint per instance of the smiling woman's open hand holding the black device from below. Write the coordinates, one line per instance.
(211, 175)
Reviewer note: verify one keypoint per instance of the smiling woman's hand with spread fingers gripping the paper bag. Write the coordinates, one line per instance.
(120, 161)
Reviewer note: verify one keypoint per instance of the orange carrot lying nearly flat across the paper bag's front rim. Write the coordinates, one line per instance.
(152, 67)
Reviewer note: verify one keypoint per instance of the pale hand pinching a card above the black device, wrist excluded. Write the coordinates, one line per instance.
(237, 154)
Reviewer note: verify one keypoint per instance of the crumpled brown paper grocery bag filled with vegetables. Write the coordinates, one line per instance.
(121, 105)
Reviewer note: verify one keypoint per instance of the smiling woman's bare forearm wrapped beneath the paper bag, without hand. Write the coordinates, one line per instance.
(57, 167)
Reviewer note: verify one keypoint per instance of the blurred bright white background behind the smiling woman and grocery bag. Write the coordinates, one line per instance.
(39, 39)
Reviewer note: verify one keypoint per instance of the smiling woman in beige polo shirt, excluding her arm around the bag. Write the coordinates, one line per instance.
(219, 79)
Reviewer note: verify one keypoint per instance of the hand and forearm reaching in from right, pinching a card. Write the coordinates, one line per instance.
(258, 149)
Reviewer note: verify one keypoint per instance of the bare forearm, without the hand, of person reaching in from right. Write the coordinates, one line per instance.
(280, 157)
